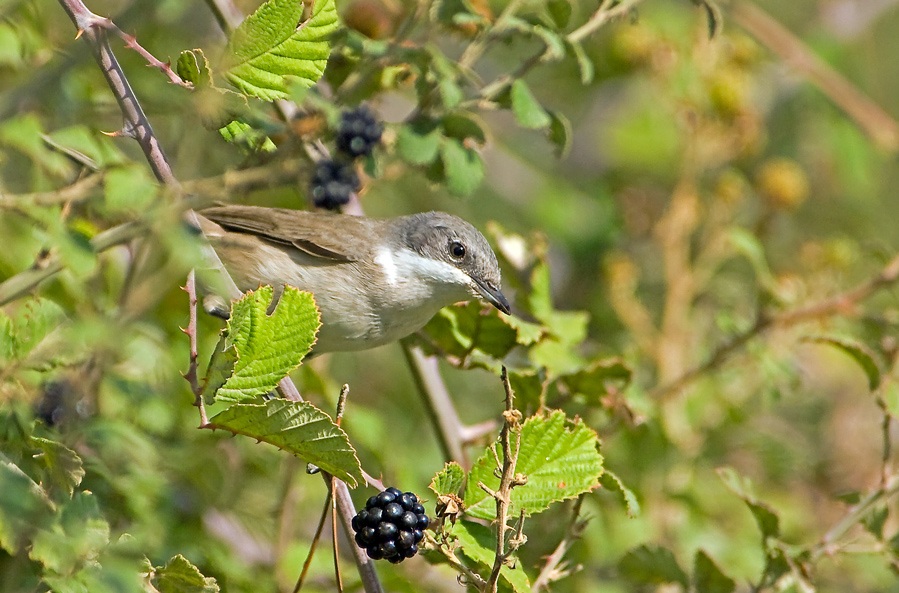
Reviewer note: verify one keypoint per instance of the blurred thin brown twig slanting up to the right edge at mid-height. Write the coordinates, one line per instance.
(844, 302)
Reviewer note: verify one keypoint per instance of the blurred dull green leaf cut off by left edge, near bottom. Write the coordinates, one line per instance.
(24, 507)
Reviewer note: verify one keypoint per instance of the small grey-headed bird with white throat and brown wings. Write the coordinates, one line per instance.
(374, 280)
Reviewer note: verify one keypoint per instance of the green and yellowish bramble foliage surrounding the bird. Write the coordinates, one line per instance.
(699, 249)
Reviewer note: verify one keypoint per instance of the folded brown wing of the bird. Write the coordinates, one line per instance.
(297, 228)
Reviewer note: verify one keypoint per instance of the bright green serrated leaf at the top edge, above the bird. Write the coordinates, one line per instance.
(276, 42)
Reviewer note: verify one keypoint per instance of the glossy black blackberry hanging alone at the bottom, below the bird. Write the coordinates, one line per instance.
(391, 525)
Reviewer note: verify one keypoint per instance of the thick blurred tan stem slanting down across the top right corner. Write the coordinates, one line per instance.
(879, 125)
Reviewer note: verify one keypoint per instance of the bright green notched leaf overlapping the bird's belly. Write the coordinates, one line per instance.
(266, 347)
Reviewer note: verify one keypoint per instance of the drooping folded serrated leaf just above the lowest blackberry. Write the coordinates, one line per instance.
(296, 427)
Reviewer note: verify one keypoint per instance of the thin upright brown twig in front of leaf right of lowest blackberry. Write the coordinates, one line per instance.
(508, 480)
